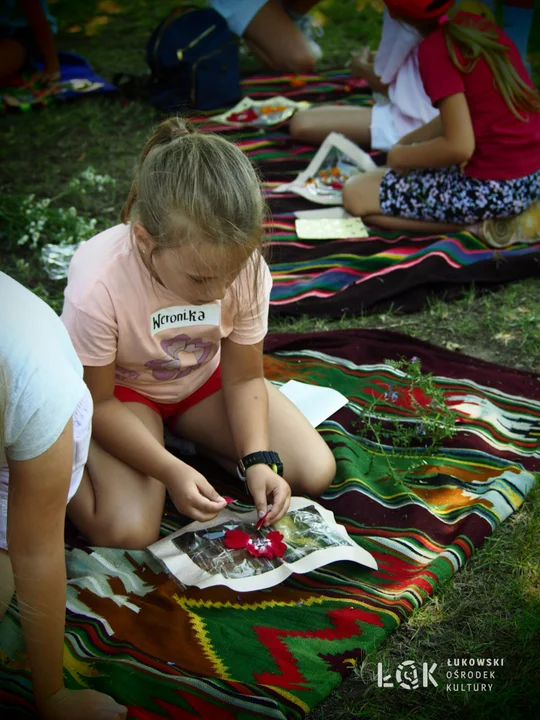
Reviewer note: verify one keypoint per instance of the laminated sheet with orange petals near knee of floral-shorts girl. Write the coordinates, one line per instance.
(337, 160)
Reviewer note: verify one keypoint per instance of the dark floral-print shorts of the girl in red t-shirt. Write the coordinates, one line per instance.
(448, 195)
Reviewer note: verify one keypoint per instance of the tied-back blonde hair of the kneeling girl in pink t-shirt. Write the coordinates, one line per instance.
(191, 186)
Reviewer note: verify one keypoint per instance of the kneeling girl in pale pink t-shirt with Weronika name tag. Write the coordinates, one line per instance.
(168, 313)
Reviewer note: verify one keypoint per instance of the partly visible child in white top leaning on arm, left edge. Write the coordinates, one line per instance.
(45, 427)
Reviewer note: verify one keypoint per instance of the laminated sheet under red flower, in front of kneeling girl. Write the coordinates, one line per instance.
(196, 554)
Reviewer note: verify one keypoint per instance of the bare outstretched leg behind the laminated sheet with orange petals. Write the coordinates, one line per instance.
(312, 126)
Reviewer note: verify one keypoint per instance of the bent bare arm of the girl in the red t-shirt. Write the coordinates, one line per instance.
(453, 146)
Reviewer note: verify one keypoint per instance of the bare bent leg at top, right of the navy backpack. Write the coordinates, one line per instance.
(277, 41)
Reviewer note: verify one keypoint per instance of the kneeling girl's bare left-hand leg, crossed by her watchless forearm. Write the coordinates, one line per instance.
(115, 505)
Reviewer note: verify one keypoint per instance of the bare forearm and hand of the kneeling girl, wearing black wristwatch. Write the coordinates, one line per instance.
(246, 403)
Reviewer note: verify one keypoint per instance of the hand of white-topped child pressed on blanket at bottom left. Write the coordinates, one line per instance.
(81, 705)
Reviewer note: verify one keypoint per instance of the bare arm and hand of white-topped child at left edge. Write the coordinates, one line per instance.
(36, 515)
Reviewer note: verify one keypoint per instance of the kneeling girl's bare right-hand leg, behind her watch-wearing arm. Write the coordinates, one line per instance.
(308, 461)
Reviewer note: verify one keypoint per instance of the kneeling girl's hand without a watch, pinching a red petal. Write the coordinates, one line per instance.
(192, 494)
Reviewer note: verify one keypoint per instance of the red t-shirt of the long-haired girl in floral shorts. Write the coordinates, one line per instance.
(506, 147)
